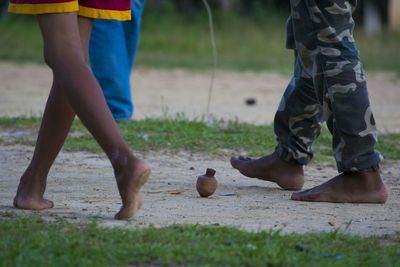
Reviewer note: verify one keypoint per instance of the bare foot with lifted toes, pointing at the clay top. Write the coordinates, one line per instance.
(271, 168)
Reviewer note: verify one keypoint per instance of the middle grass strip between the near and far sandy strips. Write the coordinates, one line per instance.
(179, 134)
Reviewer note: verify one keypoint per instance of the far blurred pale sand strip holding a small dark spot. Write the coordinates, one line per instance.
(24, 89)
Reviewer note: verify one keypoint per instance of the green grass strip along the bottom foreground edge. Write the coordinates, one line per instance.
(32, 242)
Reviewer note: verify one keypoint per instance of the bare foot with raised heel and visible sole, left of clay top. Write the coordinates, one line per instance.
(129, 182)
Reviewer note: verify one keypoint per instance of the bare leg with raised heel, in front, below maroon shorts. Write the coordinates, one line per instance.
(65, 55)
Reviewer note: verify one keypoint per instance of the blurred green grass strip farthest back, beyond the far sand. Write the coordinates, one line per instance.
(172, 41)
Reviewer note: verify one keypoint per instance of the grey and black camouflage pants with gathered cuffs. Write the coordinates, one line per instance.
(329, 85)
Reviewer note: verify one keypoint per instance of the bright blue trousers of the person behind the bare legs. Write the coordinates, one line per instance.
(112, 52)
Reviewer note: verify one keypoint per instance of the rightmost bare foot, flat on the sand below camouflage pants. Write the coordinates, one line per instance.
(348, 187)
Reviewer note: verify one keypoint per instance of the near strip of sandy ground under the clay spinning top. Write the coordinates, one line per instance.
(83, 188)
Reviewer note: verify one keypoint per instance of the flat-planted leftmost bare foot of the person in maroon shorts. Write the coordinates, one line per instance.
(30, 192)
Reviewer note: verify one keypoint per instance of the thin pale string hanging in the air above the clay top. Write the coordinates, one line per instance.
(215, 57)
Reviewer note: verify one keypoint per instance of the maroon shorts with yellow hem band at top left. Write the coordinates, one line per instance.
(96, 9)
